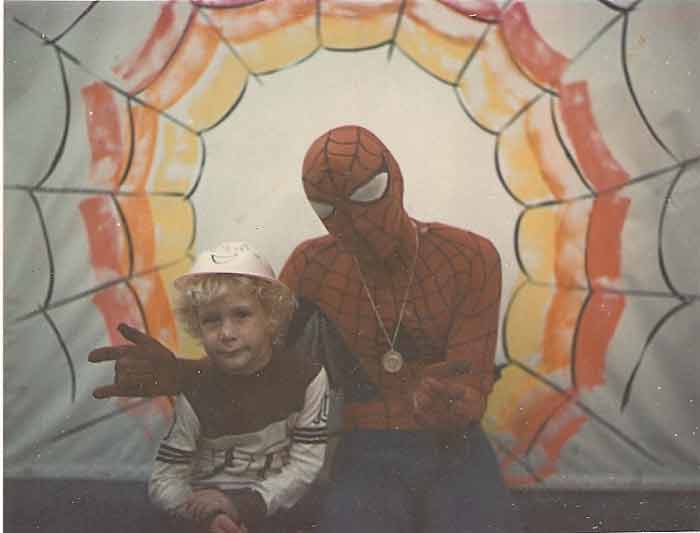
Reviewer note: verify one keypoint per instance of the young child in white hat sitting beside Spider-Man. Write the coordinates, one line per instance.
(249, 437)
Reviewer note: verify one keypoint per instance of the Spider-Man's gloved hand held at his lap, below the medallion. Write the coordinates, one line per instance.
(443, 401)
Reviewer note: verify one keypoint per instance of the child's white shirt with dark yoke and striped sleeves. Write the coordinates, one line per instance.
(263, 435)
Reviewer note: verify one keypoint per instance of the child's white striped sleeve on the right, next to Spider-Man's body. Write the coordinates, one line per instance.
(307, 451)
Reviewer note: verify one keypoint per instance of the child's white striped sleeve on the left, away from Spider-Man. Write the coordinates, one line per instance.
(169, 485)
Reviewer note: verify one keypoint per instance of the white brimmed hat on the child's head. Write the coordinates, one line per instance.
(237, 258)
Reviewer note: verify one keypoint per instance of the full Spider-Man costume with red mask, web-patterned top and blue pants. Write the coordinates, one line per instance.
(390, 474)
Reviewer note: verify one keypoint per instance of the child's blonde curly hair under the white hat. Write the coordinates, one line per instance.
(276, 299)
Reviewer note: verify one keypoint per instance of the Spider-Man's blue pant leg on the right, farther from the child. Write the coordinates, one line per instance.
(469, 495)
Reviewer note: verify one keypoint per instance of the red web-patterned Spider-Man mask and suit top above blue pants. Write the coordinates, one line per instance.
(451, 314)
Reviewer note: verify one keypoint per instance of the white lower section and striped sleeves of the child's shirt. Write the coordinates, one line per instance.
(279, 461)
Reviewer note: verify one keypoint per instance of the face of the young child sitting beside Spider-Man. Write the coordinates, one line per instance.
(235, 332)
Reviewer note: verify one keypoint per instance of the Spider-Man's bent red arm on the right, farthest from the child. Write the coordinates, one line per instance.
(453, 394)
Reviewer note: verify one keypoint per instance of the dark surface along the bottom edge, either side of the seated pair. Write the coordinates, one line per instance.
(120, 507)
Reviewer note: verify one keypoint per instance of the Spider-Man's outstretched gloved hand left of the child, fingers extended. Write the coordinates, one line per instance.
(145, 368)
